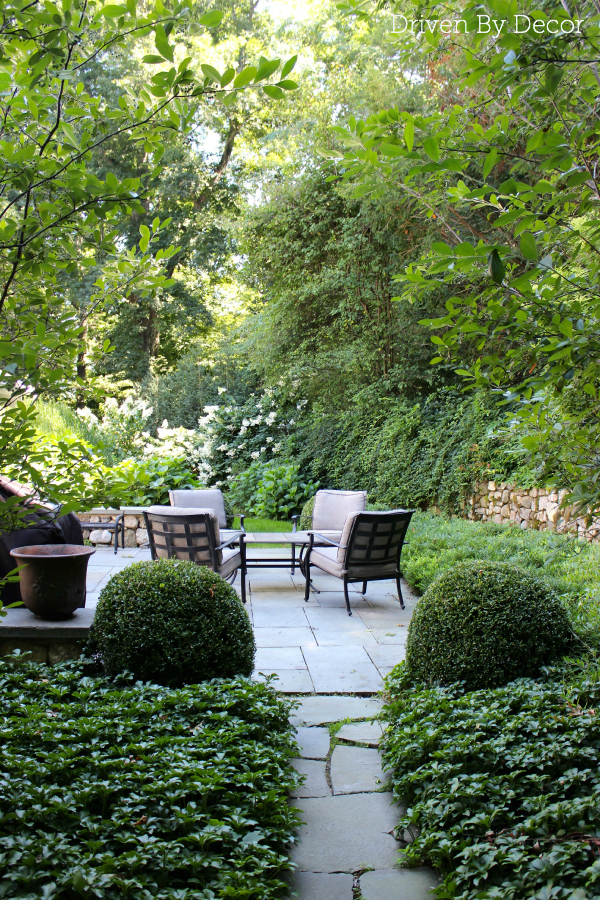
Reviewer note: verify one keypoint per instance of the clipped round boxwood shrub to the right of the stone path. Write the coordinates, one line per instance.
(486, 624)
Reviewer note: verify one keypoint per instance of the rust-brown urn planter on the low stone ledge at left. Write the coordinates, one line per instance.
(53, 578)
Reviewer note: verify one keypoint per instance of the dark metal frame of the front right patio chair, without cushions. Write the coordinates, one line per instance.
(356, 541)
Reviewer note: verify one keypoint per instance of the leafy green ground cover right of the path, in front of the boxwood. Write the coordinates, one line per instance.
(501, 786)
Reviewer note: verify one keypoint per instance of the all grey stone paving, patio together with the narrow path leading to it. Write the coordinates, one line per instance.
(335, 664)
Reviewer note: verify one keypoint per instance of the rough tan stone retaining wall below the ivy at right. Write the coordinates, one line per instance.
(534, 508)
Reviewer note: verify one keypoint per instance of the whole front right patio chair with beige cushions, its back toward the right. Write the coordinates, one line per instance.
(369, 550)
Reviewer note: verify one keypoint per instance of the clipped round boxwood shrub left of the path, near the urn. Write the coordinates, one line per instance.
(173, 623)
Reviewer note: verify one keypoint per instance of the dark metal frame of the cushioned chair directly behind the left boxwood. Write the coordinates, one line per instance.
(196, 542)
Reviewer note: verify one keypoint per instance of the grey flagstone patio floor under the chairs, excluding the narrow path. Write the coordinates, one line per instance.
(312, 647)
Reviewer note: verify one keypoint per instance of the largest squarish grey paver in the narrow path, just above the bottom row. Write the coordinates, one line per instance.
(346, 833)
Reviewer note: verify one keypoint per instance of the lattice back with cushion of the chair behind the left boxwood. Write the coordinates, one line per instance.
(191, 534)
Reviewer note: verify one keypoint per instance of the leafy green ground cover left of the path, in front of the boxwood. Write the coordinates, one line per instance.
(114, 789)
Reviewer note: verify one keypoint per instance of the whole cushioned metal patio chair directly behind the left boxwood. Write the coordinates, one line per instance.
(193, 534)
